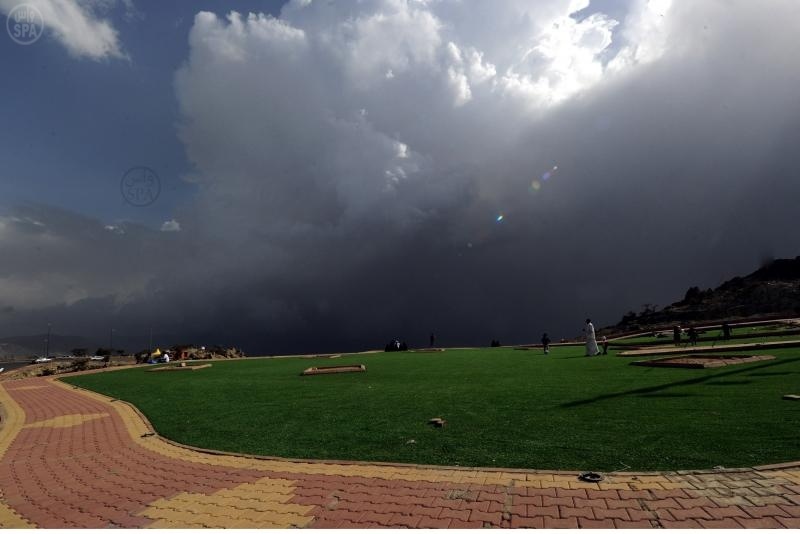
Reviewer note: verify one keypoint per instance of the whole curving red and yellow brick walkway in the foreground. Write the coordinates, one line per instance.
(70, 458)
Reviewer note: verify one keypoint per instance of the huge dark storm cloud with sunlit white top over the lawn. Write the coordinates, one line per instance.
(351, 163)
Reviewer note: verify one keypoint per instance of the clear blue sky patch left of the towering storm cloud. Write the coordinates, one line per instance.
(76, 125)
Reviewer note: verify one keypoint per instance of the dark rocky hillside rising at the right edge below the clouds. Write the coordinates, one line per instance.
(771, 291)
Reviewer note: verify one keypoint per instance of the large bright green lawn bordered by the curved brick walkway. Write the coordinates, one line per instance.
(504, 408)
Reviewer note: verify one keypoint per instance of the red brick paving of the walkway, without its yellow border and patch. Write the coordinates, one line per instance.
(95, 475)
